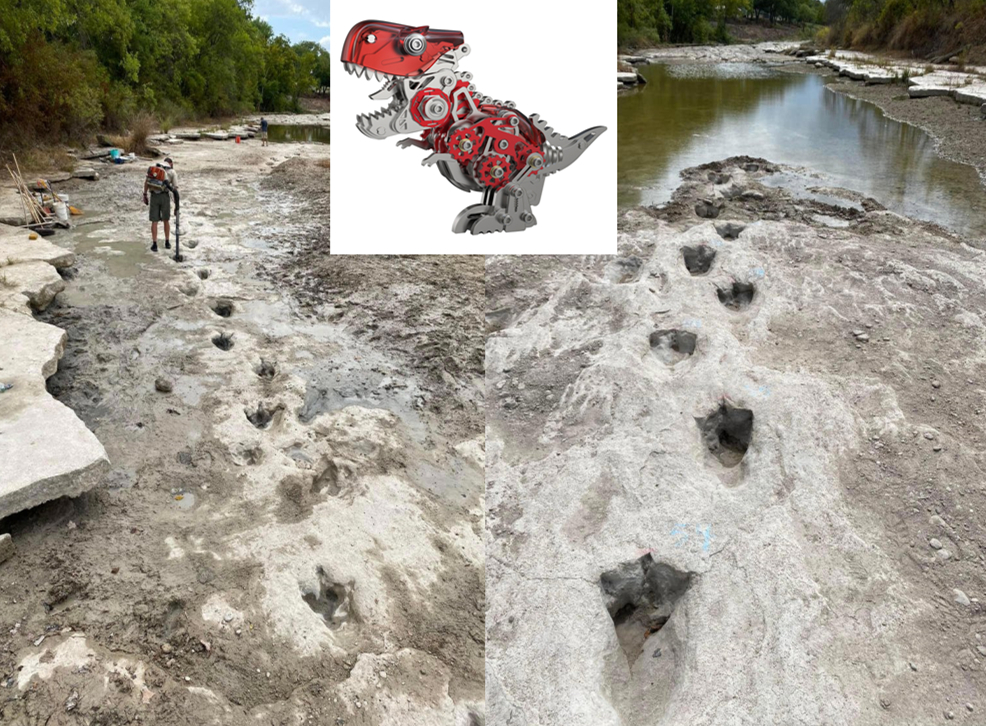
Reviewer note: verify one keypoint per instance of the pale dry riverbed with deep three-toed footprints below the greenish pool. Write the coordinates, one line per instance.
(735, 472)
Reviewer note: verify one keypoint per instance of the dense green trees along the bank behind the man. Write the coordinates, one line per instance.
(71, 67)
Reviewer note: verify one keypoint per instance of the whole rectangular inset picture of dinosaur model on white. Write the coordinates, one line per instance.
(463, 132)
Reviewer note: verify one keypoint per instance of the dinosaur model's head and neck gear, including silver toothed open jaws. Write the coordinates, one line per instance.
(417, 68)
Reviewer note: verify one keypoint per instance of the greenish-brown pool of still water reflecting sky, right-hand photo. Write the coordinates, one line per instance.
(692, 114)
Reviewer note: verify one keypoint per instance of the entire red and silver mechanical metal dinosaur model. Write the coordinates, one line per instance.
(477, 143)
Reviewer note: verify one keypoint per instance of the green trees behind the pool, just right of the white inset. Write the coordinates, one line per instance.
(642, 23)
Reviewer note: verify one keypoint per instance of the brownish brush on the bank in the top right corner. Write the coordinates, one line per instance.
(934, 29)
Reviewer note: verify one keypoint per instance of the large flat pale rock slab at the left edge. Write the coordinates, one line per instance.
(47, 451)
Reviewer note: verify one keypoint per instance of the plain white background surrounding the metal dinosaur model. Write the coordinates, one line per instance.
(543, 55)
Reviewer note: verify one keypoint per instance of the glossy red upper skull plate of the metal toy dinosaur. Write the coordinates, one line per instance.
(396, 50)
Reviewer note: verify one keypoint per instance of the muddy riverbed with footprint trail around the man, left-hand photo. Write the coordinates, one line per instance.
(290, 527)
